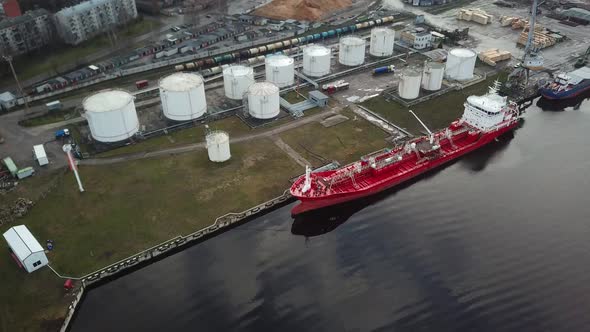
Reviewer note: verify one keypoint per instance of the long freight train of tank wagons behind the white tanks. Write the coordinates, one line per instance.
(256, 54)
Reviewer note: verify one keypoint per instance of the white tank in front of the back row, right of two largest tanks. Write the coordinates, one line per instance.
(263, 100)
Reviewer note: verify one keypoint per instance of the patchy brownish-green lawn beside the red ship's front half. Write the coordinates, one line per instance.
(344, 142)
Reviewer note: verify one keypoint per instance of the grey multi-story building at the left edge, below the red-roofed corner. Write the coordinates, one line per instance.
(22, 34)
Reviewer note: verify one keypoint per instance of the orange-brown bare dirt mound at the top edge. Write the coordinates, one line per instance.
(306, 10)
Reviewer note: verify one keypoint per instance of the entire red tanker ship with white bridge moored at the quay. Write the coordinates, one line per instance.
(484, 119)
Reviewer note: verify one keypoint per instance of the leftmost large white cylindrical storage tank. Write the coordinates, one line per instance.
(111, 115)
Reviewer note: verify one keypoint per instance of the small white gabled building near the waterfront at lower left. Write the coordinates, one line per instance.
(26, 248)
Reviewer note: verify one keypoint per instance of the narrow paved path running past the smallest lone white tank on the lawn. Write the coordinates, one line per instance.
(198, 146)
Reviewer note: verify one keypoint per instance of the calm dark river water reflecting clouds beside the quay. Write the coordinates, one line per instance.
(498, 241)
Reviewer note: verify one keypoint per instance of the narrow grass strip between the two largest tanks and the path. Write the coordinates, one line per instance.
(233, 125)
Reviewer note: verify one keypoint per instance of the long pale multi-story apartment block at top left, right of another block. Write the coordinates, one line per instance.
(88, 19)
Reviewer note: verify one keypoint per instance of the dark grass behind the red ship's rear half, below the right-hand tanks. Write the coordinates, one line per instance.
(436, 113)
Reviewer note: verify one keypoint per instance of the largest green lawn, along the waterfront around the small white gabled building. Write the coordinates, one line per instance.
(126, 208)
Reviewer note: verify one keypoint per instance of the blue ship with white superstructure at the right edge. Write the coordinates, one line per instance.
(568, 85)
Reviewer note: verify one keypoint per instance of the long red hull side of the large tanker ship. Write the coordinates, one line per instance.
(314, 203)
